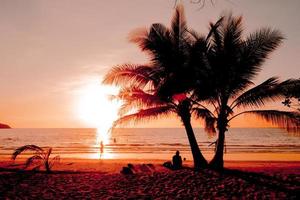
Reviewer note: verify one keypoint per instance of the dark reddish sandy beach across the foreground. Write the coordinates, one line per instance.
(101, 179)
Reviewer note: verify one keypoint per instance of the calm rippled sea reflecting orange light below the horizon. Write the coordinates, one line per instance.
(150, 143)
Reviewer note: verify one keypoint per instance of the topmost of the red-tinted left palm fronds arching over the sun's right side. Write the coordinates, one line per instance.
(126, 74)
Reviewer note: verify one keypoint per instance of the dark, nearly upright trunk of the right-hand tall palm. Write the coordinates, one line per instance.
(218, 162)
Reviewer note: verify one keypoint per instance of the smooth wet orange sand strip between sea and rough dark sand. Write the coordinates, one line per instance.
(115, 165)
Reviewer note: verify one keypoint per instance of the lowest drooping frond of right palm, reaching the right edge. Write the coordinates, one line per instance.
(283, 119)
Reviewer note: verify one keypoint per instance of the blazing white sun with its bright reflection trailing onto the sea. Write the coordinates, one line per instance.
(98, 110)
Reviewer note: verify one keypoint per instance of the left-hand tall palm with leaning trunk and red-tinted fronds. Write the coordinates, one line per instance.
(163, 86)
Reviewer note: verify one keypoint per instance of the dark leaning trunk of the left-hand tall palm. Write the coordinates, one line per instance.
(199, 160)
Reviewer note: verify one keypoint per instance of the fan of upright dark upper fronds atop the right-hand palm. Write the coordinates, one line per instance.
(235, 61)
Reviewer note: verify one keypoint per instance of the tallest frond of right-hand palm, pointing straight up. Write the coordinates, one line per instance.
(225, 55)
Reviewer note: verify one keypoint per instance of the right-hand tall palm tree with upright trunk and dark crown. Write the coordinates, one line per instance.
(233, 64)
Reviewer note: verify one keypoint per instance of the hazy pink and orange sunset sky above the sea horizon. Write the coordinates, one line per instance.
(54, 52)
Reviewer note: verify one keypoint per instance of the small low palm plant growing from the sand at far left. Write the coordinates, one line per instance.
(40, 157)
